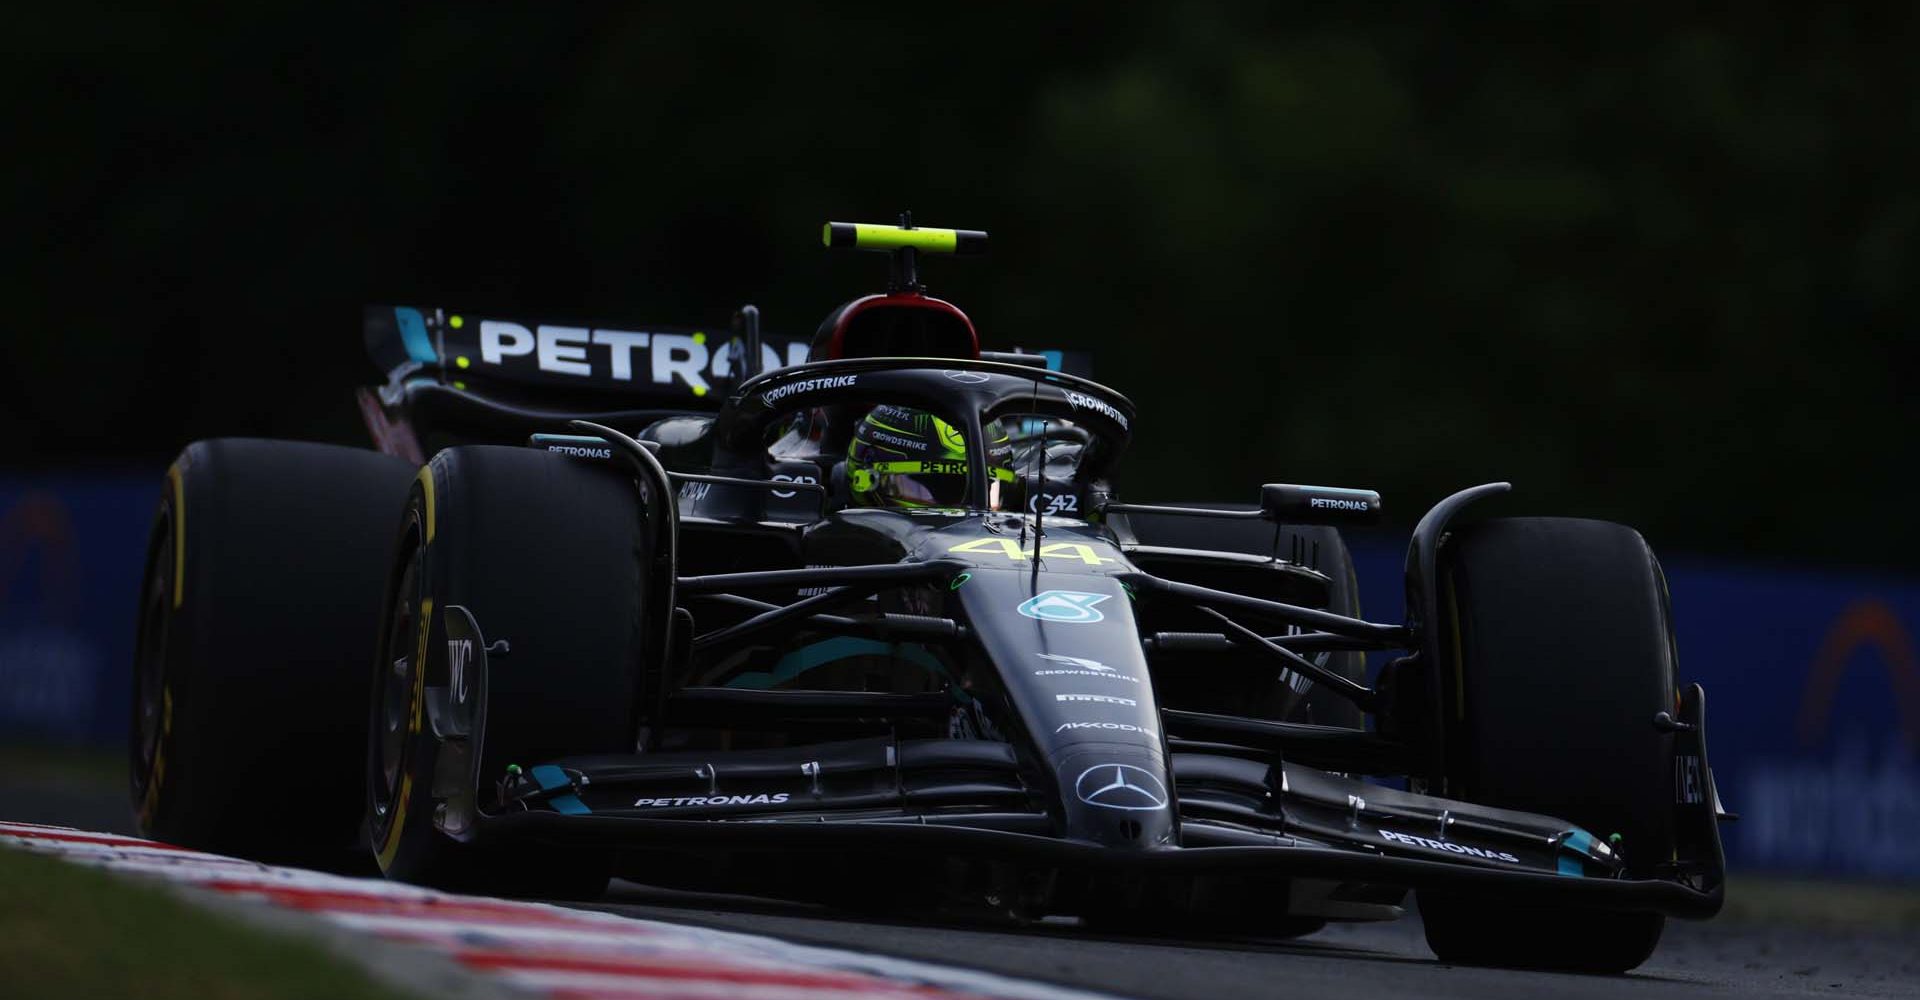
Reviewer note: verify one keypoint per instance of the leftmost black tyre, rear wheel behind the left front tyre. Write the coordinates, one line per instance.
(258, 609)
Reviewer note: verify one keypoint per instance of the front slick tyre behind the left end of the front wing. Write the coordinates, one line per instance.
(546, 554)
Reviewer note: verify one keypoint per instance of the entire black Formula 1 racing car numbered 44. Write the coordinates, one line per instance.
(635, 602)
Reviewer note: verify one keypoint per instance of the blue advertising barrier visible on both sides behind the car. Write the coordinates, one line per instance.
(1812, 677)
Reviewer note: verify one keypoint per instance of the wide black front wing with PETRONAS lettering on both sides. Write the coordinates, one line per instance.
(1237, 815)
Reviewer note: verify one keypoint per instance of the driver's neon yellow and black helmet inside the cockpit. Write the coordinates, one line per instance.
(907, 458)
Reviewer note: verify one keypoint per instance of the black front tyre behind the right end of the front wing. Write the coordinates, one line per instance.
(1562, 655)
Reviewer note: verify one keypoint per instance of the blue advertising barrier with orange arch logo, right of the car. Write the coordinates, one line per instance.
(1815, 709)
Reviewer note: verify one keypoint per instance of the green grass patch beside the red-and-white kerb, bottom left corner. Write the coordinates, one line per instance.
(74, 932)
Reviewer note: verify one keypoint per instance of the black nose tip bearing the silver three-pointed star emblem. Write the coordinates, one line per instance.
(1116, 796)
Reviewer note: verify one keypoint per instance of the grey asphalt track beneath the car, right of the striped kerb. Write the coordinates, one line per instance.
(1381, 961)
